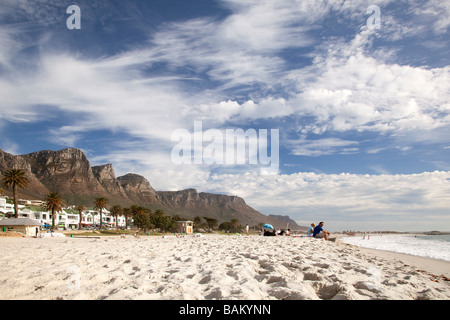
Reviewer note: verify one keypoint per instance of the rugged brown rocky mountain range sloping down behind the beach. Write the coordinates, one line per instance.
(69, 172)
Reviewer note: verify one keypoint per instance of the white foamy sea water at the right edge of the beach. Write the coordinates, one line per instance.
(429, 246)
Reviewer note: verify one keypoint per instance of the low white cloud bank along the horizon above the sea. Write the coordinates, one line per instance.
(347, 198)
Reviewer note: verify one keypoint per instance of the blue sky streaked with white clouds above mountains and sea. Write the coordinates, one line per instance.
(342, 107)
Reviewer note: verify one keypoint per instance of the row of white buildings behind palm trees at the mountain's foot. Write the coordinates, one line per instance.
(67, 219)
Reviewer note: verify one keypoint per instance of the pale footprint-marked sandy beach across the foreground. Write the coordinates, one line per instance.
(209, 267)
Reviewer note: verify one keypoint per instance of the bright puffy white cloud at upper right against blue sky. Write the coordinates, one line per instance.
(347, 89)
